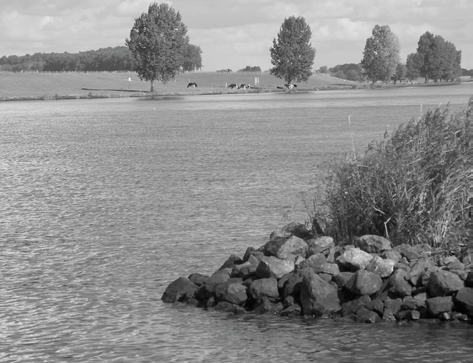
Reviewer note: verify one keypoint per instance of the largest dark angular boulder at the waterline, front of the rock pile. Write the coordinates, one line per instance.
(318, 297)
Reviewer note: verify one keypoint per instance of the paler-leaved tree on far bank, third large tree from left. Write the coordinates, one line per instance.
(381, 54)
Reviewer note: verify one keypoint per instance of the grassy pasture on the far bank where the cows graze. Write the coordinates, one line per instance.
(124, 84)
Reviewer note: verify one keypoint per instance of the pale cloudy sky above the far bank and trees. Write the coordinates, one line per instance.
(236, 33)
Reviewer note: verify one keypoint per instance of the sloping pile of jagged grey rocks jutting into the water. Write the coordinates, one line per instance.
(297, 273)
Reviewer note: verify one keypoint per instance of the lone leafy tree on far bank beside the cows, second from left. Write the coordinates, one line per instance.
(292, 54)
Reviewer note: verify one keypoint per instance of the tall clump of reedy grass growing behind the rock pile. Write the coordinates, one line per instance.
(415, 186)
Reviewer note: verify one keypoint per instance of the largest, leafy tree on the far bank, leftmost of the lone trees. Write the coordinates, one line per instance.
(157, 43)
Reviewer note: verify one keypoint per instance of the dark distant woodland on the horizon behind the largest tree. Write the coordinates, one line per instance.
(103, 60)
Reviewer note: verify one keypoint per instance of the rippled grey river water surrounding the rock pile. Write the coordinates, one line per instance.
(106, 202)
